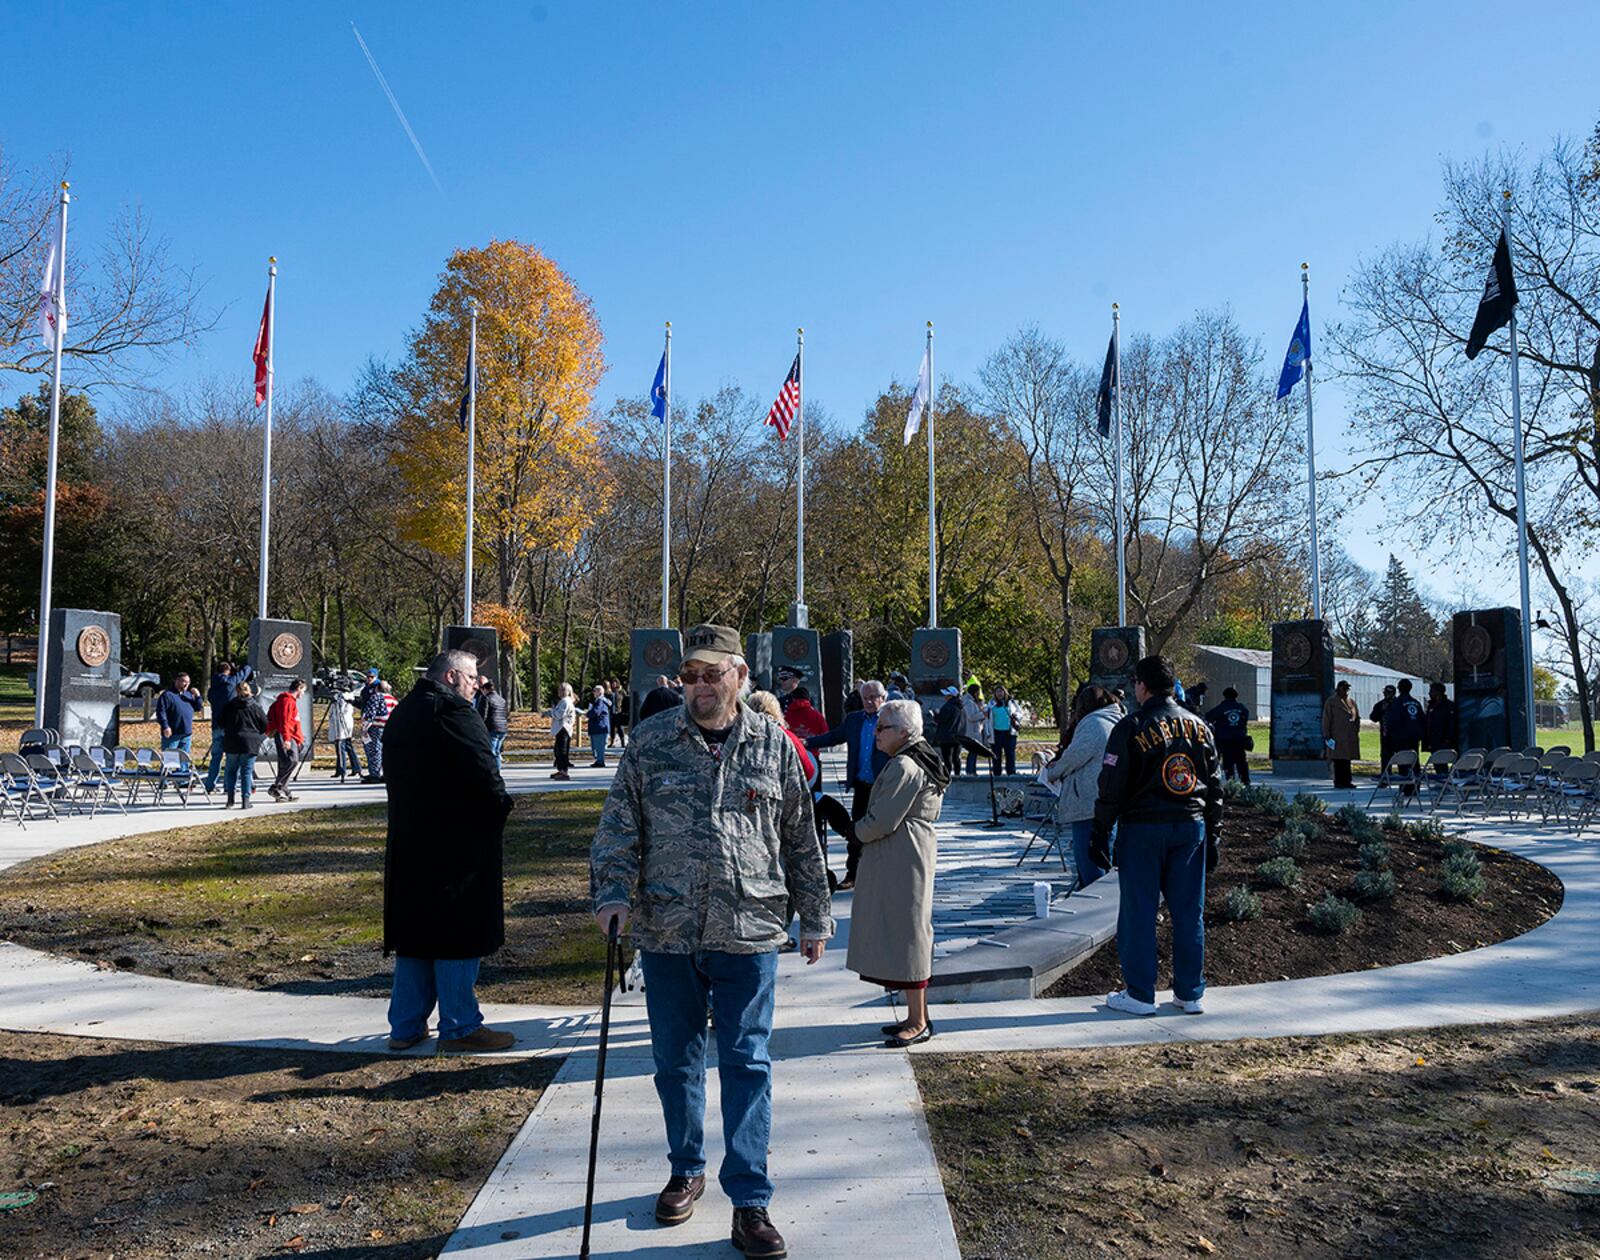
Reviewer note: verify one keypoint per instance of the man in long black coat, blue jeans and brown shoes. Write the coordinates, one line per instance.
(444, 899)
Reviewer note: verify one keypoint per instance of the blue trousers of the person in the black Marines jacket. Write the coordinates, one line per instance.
(1156, 859)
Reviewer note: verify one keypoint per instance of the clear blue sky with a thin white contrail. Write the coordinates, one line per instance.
(748, 169)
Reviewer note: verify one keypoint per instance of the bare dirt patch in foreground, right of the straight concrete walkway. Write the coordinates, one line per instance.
(1425, 1146)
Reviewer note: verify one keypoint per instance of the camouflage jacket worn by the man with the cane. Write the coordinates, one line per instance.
(711, 853)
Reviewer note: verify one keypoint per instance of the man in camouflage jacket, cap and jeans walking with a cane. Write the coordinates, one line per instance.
(708, 840)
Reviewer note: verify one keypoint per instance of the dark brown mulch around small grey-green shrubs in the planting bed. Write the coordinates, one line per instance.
(1282, 946)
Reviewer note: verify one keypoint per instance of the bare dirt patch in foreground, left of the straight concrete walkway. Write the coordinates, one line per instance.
(140, 1150)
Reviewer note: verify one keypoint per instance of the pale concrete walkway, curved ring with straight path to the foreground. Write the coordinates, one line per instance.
(852, 1157)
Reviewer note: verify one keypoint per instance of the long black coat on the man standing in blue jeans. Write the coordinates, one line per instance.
(444, 888)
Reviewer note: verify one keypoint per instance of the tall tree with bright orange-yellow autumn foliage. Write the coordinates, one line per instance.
(538, 465)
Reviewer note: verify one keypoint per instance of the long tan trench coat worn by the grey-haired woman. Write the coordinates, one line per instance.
(892, 919)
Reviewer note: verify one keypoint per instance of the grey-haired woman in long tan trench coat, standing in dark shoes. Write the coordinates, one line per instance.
(892, 917)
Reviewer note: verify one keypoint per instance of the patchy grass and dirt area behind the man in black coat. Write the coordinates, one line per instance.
(294, 903)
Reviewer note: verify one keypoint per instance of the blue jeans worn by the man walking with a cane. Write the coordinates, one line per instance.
(742, 989)
